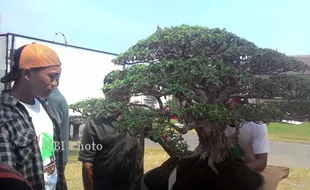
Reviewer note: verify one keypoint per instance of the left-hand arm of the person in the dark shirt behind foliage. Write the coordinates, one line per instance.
(86, 156)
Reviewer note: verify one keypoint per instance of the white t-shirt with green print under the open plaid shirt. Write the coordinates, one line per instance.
(44, 130)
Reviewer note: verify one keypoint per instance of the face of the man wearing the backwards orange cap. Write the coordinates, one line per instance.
(43, 80)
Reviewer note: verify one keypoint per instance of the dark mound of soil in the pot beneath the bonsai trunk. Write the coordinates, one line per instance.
(193, 174)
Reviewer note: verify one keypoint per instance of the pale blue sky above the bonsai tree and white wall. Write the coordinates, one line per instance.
(114, 26)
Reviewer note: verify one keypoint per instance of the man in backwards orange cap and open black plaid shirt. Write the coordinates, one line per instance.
(29, 133)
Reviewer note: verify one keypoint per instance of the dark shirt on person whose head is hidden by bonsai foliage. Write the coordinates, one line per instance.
(117, 157)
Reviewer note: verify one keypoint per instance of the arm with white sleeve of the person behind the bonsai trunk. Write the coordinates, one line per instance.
(260, 148)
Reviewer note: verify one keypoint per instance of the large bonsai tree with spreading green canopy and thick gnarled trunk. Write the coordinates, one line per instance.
(201, 69)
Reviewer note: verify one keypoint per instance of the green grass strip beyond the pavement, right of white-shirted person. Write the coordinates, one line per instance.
(289, 132)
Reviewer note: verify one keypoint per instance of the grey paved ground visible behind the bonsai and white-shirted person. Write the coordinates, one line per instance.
(281, 153)
